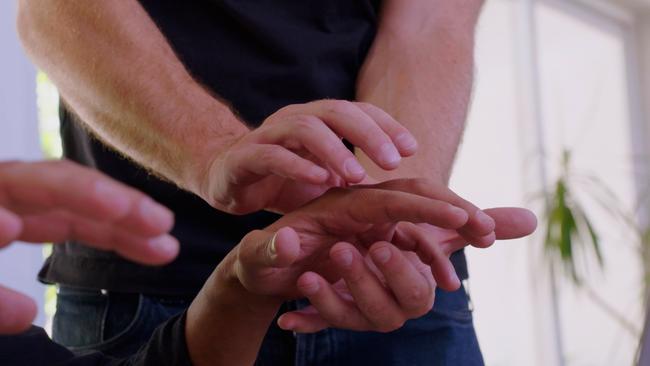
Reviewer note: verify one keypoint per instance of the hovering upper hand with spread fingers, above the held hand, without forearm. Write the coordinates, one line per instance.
(298, 153)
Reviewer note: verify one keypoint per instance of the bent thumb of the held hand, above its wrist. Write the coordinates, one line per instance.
(263, 249)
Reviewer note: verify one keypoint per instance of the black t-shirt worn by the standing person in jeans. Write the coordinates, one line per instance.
(259, 56)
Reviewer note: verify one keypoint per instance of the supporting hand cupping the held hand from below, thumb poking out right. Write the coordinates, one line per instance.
(387, 286)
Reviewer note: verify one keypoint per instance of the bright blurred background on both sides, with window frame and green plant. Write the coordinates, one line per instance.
(559, 124)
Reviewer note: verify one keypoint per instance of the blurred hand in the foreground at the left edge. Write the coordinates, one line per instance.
(58, 201)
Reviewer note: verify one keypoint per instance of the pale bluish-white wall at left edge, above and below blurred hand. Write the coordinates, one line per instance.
(18, 140)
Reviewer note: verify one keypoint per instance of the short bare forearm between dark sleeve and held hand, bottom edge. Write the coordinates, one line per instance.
(226, 324)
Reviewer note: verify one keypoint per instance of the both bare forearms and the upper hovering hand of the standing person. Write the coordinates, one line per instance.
(147, 106)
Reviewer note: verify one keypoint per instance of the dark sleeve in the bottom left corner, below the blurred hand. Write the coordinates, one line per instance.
(166, 346)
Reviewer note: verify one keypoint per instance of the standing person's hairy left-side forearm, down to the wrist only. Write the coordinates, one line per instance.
(115, 69)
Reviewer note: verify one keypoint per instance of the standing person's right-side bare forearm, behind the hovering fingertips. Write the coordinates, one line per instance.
(420, 70)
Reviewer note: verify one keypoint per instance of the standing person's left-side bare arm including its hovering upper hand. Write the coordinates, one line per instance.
(147, 106)
